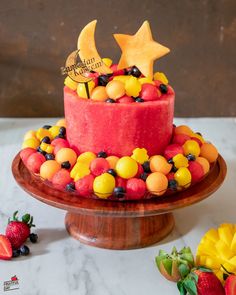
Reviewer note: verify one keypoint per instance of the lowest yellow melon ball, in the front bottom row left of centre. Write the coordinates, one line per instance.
(104, 185)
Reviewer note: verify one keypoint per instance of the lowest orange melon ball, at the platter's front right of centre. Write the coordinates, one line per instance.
(157, 183)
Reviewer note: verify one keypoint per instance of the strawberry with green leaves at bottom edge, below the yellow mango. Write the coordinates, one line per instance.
(201, 281)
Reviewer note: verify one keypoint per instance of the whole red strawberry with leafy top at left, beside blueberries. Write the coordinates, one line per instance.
(18, 231)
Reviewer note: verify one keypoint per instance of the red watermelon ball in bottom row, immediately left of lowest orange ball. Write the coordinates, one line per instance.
(135, 189)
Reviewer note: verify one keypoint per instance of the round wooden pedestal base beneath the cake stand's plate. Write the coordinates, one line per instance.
(119, 233)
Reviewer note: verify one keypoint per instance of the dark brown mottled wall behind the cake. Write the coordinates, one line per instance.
(36, 37)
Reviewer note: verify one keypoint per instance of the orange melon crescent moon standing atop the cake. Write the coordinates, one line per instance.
(88, 51)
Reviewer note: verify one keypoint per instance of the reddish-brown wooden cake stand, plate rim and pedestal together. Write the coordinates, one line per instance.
(118, 225)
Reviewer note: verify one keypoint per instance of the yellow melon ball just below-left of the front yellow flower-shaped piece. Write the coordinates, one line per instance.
(126, 167)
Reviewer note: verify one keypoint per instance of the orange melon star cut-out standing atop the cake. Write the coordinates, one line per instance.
(140, 50)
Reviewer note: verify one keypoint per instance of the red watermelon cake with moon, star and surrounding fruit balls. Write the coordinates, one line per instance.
(117, 140)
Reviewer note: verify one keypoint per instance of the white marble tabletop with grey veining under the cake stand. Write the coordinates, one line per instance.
(58, 264)
